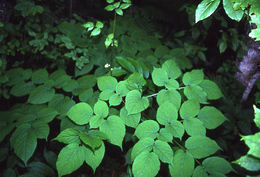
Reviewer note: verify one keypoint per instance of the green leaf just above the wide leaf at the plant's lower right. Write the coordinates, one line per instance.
(194, 127)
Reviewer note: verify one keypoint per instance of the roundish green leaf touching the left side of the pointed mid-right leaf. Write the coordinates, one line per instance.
(189, 109)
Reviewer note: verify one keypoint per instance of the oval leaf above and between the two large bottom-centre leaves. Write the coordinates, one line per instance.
(163, 151)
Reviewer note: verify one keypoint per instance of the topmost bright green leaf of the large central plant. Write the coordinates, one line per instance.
(172, 69)
